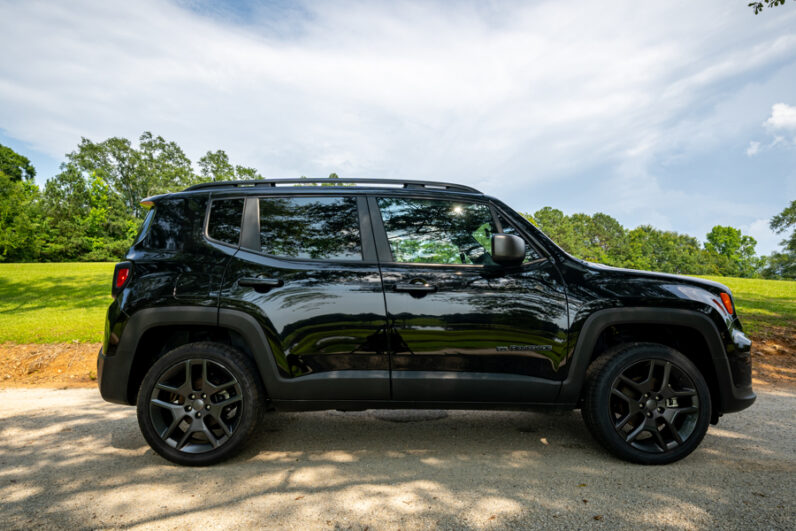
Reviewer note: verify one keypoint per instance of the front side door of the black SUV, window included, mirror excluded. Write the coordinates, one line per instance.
(463, 328)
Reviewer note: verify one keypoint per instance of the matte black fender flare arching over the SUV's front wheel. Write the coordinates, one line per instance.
(730, 397)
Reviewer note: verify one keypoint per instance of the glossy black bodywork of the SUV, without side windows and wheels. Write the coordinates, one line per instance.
(357, 333)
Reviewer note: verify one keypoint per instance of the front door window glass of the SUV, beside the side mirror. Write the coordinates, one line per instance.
(434, 231)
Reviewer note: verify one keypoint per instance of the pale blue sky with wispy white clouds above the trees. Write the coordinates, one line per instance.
(681, 115)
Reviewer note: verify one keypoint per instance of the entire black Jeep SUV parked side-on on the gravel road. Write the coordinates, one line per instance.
(348, 294)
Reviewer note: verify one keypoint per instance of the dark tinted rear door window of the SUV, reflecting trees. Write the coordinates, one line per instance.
(324, 228)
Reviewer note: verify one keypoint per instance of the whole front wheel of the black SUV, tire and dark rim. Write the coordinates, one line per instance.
(646, 403)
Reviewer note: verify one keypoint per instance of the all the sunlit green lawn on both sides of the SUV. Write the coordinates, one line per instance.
(49, 303)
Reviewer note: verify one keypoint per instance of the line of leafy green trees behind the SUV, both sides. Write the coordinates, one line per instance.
(90, 211)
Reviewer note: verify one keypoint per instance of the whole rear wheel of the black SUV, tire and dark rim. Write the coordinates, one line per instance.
(199, 403)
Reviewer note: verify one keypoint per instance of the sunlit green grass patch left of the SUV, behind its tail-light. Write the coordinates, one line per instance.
(51, 303)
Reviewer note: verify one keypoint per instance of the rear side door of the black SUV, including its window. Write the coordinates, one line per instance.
(307, 271)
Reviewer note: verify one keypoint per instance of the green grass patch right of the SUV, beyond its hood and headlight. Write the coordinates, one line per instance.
(762, 303)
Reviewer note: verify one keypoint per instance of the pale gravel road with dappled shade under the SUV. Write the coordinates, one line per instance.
(68, 459)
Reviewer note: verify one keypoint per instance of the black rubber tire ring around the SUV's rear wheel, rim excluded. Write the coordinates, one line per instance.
(226, 357)
